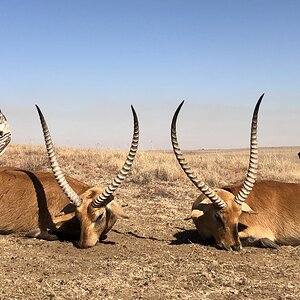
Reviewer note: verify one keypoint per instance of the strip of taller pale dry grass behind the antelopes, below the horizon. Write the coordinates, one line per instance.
(217, 168)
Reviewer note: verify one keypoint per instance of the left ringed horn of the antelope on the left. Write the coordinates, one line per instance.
(59, 176)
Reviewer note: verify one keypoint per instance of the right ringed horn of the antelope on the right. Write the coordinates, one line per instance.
(253, 163)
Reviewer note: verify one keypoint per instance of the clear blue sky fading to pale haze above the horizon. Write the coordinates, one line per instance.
(85, 62)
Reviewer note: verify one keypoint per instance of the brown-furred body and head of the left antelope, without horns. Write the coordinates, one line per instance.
(34, 203)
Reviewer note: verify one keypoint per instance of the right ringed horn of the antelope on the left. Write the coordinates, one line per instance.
(105, 198)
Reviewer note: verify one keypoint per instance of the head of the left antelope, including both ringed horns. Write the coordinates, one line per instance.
(95, 208)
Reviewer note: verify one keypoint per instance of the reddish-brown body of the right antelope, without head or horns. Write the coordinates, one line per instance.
(277, 212)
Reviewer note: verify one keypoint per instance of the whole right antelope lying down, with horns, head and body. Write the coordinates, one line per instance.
(271, 215)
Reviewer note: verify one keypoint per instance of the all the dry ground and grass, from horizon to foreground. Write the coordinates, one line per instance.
(155, 254)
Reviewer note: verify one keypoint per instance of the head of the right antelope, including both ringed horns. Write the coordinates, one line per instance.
(216, 212)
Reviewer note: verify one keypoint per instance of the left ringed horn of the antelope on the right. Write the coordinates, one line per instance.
(202, 186)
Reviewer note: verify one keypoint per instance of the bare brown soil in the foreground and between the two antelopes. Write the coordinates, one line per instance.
(153, 255)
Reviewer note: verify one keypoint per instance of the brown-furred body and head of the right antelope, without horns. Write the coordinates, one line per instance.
(271, 212)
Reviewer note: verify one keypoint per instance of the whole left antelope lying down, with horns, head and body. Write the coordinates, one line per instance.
(45, 205)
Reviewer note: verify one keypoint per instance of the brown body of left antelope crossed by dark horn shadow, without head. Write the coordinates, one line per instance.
(29, 201)
